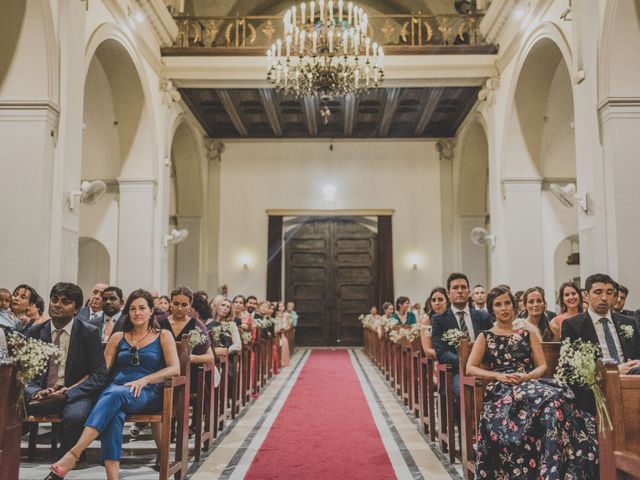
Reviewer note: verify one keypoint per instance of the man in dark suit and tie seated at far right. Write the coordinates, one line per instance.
(616, 335)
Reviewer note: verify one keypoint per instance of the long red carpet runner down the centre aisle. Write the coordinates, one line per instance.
(325, 429)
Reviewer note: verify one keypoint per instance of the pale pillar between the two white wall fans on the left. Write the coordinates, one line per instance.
(135, 233)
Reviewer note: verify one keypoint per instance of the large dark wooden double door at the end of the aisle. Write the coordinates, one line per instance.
(331, 274)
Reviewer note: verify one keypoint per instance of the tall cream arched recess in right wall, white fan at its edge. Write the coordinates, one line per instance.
(539, 151)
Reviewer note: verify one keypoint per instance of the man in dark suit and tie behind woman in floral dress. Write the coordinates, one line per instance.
(458, 317)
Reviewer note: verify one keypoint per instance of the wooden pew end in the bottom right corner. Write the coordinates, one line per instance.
(620, 447)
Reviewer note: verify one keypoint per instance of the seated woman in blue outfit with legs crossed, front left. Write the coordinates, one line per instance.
(140, 359)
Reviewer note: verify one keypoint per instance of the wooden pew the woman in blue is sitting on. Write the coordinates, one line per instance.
(175, 406)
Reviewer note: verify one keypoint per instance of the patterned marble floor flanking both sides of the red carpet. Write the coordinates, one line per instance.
(412, 455)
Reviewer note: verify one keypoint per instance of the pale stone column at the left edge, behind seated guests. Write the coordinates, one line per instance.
(28, 134)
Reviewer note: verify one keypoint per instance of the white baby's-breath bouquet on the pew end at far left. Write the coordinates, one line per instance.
(32, 357)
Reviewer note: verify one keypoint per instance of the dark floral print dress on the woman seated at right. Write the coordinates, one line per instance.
(532, 430)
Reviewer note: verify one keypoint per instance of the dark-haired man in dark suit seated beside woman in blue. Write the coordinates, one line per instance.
(68, 387)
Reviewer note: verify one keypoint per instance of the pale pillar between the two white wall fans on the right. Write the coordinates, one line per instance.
(523, 233)
